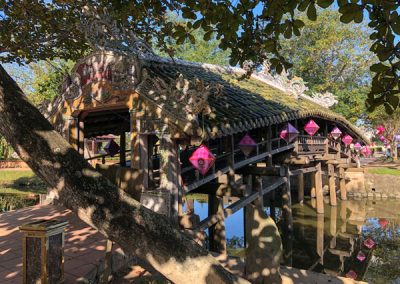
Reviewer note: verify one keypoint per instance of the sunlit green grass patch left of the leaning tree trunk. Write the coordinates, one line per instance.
(20, 182)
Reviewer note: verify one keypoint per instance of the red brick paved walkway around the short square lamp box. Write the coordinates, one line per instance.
(84, 247)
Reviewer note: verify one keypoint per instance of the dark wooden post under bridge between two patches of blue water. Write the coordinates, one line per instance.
(217, 234)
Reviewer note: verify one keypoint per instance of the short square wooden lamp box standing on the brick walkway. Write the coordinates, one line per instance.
(43, 251)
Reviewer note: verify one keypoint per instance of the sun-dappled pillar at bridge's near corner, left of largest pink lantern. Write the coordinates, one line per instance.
(169, 172)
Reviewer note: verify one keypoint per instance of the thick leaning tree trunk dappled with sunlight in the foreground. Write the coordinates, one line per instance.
(97, 202)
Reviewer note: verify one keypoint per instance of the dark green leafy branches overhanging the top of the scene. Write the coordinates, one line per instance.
(252, 30)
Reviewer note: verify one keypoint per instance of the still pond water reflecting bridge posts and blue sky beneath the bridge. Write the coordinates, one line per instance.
(333, 243)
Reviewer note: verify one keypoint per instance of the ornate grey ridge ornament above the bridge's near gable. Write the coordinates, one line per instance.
(103, 33)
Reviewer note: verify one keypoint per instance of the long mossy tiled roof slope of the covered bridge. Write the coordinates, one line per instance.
(245, 103)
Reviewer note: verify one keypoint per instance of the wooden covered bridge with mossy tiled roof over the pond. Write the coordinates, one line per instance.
(169, 109)
